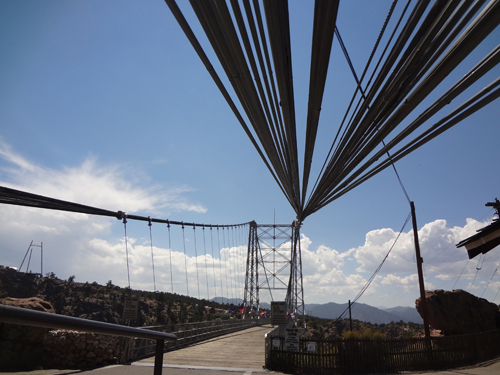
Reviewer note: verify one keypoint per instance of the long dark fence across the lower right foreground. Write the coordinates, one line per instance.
(355, 356)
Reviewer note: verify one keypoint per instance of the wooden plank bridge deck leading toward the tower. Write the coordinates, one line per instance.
(243, 350)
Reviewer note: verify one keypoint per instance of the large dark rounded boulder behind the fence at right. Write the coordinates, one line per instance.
(459, 312)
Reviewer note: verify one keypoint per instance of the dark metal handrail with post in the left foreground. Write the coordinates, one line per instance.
(16, 315)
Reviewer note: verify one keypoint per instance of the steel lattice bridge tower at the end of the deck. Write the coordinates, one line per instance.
(274, 266)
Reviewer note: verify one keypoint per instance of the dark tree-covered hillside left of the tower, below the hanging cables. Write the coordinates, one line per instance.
(106, 302)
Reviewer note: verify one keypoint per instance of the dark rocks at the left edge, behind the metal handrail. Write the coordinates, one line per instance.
(21, 346)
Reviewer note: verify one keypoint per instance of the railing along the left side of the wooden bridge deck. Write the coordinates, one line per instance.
(189, 333)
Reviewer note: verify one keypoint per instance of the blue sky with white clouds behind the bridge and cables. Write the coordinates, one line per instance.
(107, 104)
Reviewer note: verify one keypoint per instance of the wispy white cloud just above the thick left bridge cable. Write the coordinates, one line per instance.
(109, 187)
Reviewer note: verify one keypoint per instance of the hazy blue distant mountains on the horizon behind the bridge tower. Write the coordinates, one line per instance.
(360, 311)
